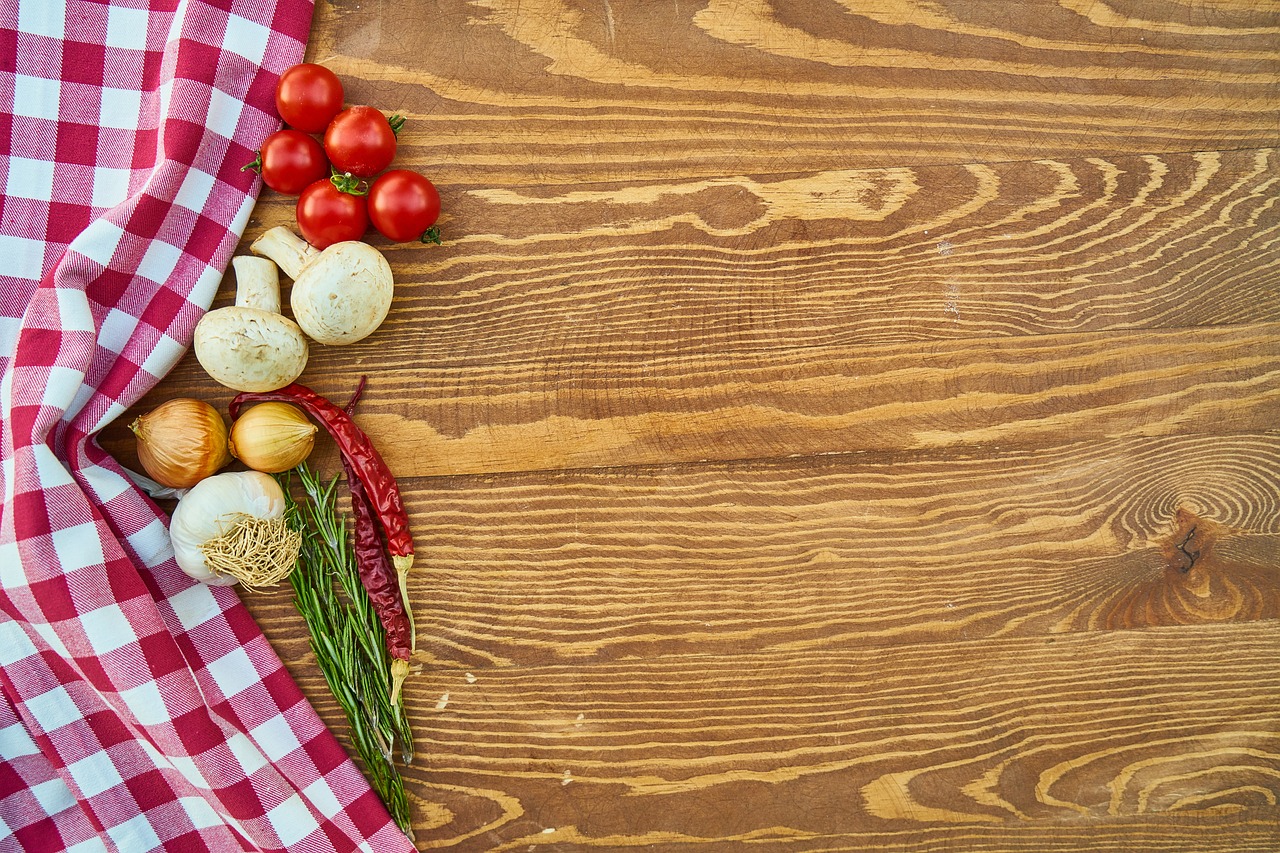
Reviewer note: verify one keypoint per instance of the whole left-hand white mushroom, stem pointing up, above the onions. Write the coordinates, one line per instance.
(252, 346)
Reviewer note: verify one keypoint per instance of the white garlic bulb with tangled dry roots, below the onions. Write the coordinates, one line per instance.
(231, 528)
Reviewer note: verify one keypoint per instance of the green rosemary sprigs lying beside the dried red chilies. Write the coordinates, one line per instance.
(348, 638)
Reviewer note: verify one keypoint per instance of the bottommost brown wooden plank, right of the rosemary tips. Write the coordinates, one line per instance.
(1163, 740)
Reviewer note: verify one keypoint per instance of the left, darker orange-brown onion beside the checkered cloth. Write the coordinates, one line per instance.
(181, 443)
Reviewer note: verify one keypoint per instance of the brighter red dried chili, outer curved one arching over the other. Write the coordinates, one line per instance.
(382, 494)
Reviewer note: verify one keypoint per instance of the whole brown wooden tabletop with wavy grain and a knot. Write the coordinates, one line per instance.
(829, 426)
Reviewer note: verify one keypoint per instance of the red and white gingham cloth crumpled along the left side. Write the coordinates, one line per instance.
(139, 710)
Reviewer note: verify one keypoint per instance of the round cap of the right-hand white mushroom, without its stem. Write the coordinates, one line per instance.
(344, 294)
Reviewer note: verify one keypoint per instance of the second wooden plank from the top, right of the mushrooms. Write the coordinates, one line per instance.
(843, 258)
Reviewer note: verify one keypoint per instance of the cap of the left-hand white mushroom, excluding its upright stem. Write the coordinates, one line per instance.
(248, 349)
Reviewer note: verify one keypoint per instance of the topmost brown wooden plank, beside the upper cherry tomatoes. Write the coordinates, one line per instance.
(566, 93)
